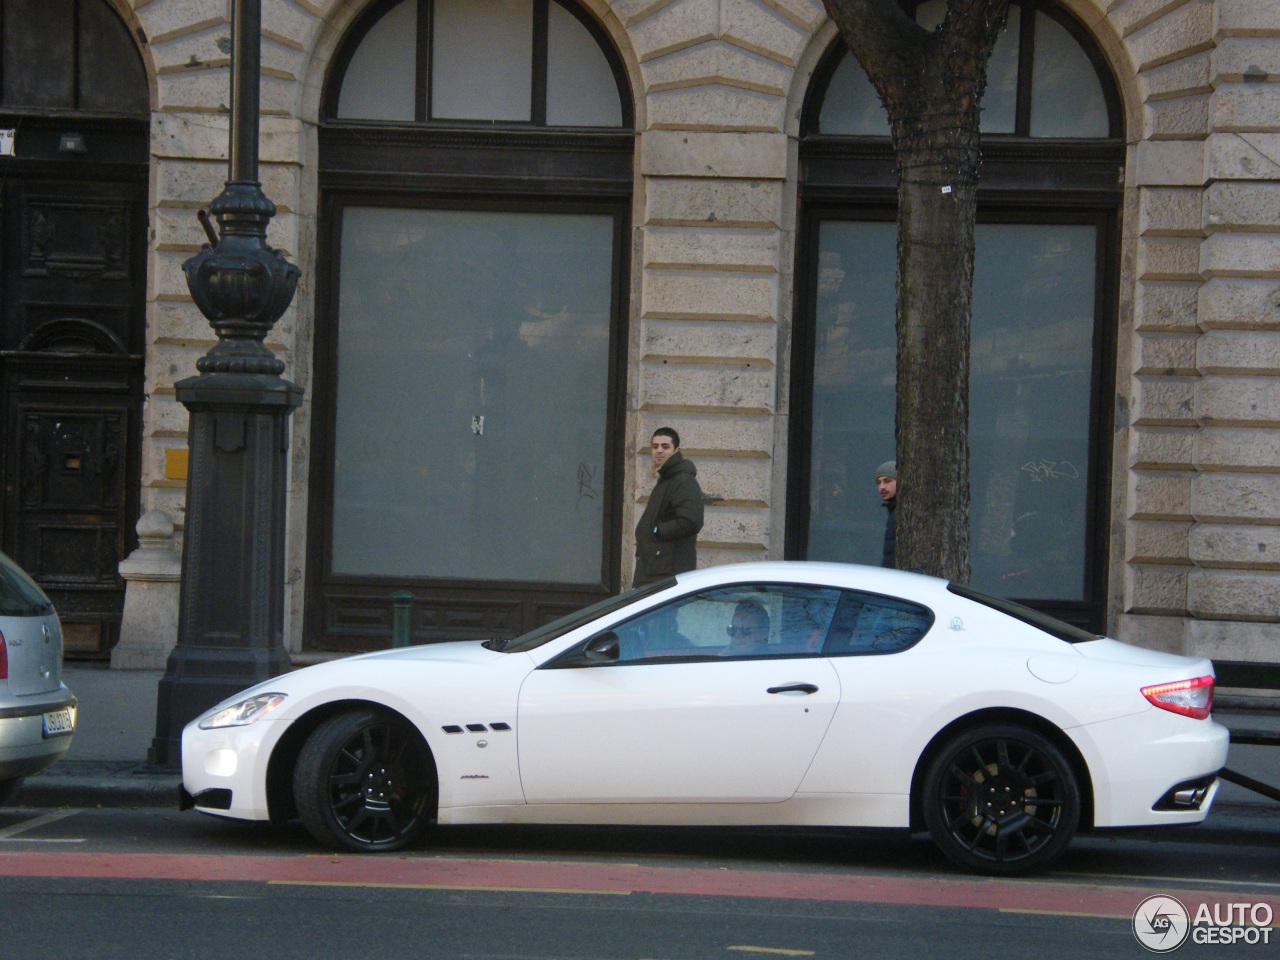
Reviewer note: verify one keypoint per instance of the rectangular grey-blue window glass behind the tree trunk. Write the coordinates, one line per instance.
(1030, 417)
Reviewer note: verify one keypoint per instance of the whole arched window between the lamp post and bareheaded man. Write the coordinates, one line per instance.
(476, 179)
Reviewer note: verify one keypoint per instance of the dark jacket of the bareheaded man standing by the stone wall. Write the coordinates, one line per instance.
(668, 533)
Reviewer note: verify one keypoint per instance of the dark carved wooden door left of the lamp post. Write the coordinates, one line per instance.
(74, 292)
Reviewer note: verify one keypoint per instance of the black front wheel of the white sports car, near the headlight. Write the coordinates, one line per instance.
(365, 781)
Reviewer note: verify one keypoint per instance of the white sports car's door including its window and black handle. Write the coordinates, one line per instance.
(680, 712)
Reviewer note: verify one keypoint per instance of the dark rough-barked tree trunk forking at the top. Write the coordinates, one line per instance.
(931, 86)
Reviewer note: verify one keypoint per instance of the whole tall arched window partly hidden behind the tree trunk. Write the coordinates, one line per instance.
(1044, 317)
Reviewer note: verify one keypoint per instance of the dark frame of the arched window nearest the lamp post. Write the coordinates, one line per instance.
(465, 166)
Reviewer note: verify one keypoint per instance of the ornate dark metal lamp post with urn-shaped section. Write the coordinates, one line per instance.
(232, 609)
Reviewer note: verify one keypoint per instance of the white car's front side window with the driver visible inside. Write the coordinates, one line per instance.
(772, 620)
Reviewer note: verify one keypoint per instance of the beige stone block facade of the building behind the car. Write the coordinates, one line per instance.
(719, 280)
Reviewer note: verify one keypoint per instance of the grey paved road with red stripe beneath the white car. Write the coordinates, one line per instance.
(141, 884)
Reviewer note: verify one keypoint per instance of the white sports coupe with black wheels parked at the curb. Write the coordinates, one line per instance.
(748, 694)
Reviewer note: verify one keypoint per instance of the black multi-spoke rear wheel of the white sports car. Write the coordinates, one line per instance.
(1002, 799)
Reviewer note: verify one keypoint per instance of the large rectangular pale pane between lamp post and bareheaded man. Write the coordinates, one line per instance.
(459, 452)
